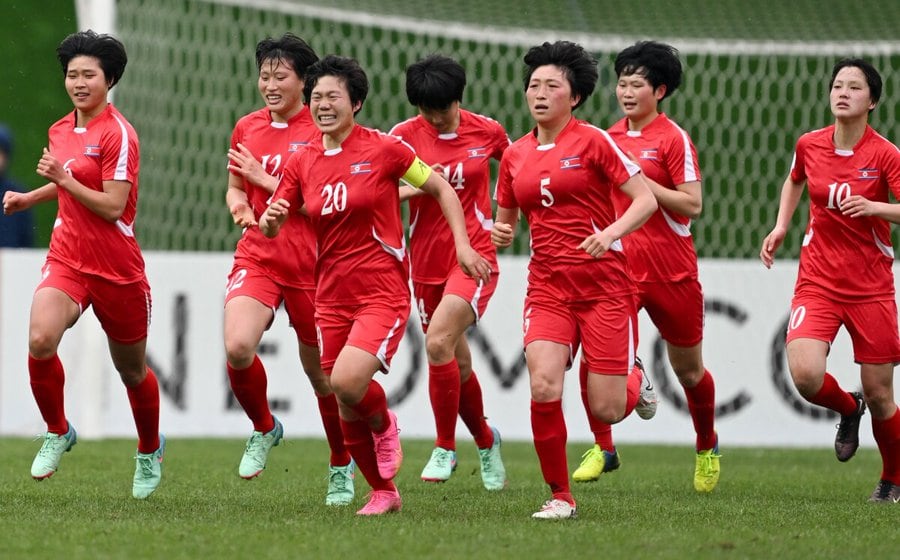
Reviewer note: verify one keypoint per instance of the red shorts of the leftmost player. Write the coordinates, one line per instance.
(122, 309)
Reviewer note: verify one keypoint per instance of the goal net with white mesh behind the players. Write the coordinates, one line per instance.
(747, 93)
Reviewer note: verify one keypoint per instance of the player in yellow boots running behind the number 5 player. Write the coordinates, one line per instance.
(661, 254)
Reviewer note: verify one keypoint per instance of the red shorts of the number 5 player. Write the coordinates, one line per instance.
(606, 328)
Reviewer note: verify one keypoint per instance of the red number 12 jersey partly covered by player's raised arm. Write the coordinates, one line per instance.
(290, 257)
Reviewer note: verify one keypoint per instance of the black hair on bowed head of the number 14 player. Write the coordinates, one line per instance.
(435, 82)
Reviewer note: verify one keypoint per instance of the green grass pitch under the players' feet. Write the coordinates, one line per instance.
(769, 504)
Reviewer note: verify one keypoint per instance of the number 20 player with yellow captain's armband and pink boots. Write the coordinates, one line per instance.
(346, 181)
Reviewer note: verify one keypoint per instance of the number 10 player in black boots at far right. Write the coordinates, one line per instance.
(848, 169)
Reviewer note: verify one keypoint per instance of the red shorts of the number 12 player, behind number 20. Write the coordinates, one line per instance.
(298, 302)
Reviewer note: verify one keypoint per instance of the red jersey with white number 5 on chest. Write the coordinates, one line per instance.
(565, 191)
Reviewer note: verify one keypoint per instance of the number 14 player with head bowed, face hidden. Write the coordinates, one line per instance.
(460, 145)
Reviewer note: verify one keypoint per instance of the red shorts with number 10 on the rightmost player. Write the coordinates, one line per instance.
(872, 325)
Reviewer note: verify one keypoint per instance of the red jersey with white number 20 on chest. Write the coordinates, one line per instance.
(353, 202)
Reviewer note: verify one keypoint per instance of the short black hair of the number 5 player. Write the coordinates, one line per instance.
(578, 66)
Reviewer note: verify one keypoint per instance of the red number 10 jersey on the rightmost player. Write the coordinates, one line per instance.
(849, 258)
